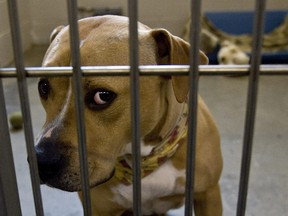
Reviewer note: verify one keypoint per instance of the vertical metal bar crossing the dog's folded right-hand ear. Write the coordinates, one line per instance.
(193, 103)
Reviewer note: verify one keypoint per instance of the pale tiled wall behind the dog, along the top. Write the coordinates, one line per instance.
(39, 17)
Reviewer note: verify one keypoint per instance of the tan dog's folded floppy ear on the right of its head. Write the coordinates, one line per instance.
(172, 50)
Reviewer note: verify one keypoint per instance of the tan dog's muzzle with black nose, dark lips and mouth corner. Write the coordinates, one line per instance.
(59, 166)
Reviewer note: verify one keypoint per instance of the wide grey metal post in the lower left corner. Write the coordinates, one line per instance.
(9, 197)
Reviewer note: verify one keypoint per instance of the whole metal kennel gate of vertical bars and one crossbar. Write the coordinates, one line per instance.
(9, 198)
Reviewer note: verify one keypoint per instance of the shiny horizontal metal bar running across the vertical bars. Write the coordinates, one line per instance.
(204, 70)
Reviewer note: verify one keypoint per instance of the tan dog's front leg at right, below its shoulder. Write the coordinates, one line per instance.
(208, 203)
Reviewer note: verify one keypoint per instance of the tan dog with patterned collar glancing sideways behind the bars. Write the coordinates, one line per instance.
(104, 41)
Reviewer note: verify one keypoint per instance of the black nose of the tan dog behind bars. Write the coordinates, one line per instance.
(50, 161)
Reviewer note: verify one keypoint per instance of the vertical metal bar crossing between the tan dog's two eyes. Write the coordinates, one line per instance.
(79, 103)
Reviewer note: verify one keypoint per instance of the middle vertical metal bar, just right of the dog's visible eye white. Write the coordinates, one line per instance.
(135, 103)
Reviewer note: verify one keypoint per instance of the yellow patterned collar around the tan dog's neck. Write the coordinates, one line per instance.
(159, 154)
